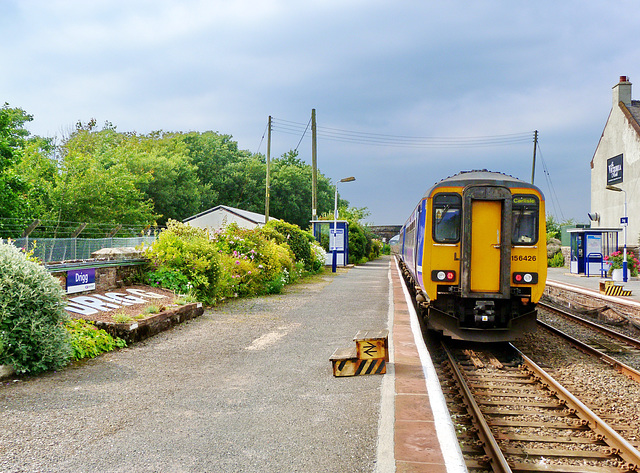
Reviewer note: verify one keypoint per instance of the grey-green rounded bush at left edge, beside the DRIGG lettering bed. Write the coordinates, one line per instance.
(31, 315)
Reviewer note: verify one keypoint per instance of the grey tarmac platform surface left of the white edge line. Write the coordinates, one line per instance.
(247, 387)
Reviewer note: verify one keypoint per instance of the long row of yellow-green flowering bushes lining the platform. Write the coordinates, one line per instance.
(232, 262)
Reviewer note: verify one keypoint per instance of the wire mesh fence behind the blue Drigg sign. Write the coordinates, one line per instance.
(69, 249)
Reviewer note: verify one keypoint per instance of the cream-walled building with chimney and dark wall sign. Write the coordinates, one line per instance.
(616, 166)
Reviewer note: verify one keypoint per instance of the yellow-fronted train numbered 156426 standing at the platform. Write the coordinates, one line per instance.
(474, 251)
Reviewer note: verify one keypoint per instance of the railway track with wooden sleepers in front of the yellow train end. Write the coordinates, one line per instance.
(513, 416)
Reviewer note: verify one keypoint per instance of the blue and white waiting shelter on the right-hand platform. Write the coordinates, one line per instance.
(589, 246)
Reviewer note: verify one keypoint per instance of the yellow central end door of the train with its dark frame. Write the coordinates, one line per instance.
(486, 242)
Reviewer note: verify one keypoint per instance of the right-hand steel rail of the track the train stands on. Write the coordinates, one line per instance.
(625, 450)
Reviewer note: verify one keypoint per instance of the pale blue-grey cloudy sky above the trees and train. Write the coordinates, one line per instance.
(406, 93)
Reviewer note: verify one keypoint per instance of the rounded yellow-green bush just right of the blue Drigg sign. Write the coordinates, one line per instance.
(185, 250)
